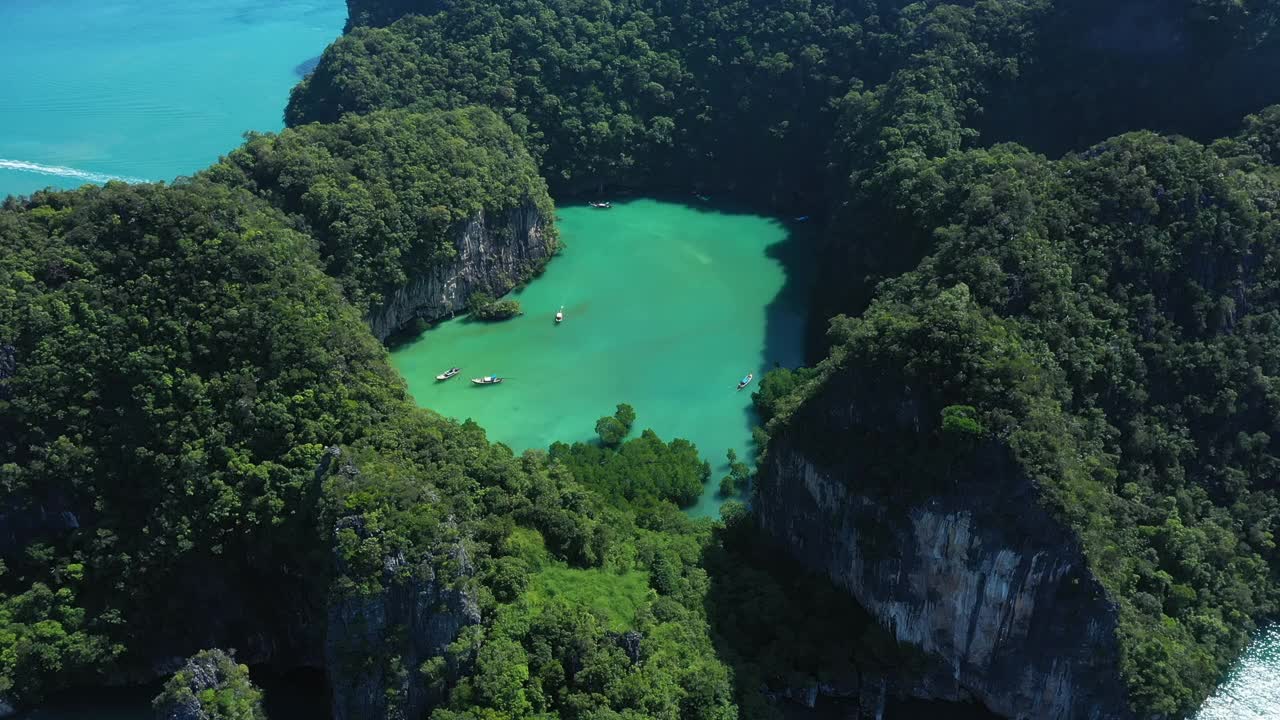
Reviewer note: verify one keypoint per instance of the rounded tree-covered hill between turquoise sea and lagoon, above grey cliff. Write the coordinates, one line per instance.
(386, 194)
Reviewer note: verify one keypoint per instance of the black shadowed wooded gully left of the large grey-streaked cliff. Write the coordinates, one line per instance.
(803, 649)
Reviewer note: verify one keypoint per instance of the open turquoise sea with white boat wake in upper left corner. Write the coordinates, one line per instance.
(145, 89)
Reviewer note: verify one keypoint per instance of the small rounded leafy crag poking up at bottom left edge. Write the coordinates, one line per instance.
(212, 685)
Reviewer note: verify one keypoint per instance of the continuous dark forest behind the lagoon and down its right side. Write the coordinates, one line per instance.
(1168, 239)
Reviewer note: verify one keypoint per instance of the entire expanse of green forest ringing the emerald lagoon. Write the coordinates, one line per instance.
(202, 444)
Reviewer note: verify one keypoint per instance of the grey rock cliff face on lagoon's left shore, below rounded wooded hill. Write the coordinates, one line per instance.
(495, 254)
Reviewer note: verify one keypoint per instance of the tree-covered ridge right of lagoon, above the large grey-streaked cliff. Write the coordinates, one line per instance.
(1112, 317)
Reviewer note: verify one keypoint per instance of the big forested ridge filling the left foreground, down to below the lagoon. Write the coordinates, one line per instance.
(205, 448)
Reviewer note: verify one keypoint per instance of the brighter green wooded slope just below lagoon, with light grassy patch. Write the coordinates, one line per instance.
(588, 609)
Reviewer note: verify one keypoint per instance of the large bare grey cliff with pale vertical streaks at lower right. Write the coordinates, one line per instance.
(975, 572)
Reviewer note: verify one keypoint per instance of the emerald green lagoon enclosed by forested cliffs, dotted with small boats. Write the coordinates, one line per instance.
(666, 307)
